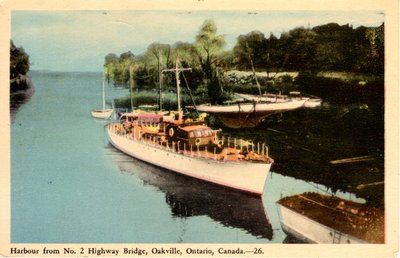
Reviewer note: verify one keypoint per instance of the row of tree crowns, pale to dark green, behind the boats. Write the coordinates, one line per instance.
(329, 47)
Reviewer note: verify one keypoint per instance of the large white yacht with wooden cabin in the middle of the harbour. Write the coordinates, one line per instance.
(193, 149)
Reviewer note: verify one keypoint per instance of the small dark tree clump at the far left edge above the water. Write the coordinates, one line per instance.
(19, 61)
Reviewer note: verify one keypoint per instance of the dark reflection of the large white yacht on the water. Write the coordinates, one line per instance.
(189, 197)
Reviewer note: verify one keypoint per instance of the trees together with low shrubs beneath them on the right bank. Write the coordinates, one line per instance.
(310, 51)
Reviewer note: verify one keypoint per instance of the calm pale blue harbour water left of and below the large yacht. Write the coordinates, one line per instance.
(70, 186)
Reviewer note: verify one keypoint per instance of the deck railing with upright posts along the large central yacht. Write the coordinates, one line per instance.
(227, 149)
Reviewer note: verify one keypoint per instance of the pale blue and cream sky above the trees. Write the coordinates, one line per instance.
(80, 40)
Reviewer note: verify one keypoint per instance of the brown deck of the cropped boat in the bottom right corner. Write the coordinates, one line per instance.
(356, 219)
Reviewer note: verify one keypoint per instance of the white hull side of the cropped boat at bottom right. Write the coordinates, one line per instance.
(308, 230)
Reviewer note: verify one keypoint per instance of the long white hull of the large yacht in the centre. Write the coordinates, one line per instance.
(241, 175)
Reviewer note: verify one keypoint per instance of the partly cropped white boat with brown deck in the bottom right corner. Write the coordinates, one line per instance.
(317, 218)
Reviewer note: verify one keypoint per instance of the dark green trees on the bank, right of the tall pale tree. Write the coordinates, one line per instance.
(329, 47)
